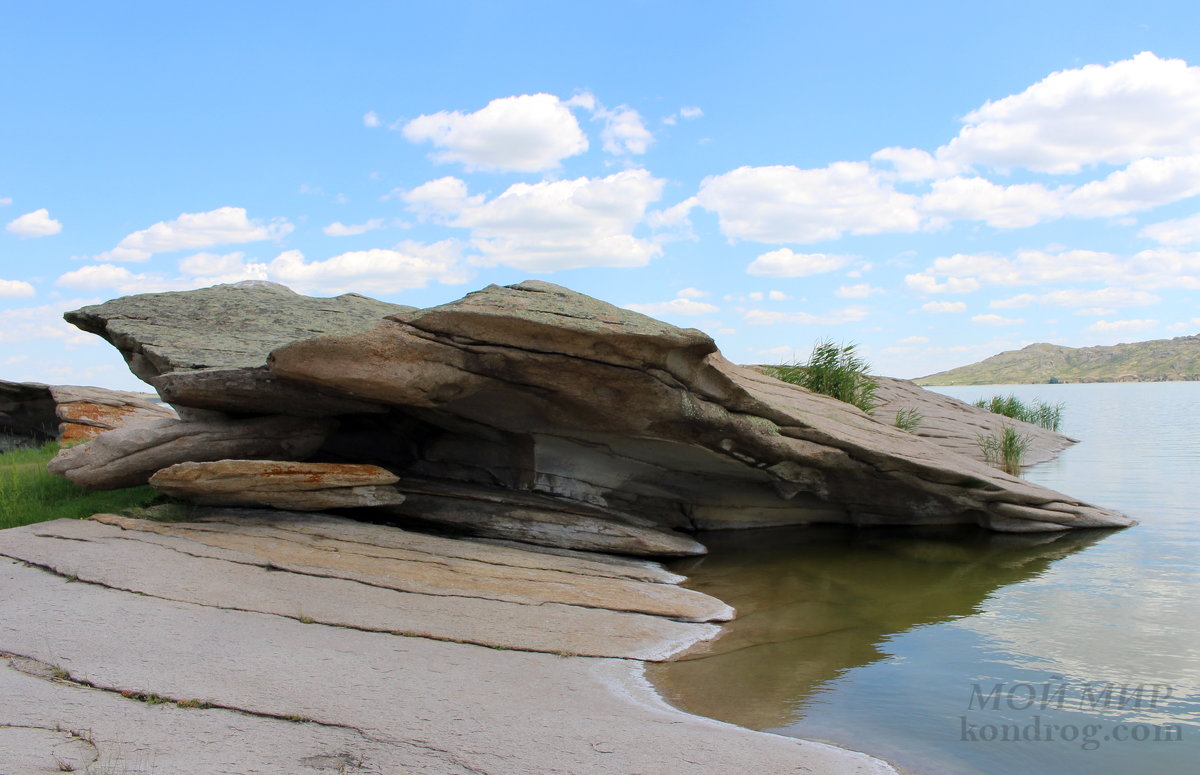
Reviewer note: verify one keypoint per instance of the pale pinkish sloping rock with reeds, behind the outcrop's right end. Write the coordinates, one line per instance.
(957, 426)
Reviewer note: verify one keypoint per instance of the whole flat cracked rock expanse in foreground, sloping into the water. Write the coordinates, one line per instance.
(149, 648)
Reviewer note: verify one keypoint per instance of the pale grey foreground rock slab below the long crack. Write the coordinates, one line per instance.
(289, 696)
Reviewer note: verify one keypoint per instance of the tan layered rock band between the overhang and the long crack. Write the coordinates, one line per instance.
(167, 561)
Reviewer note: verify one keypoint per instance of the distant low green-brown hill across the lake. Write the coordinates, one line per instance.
(1159, 361)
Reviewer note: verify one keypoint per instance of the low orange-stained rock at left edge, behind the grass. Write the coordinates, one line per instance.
(71, 413)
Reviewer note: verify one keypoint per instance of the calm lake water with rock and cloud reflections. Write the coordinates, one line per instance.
(962, 652)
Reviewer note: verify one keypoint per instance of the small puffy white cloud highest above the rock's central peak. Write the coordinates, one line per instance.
(521, 134)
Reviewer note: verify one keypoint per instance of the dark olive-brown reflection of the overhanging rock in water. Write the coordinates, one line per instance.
(814, 603)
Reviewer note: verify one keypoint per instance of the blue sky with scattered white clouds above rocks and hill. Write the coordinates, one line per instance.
(937, 182)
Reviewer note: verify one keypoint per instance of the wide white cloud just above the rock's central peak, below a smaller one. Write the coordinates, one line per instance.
(553, 225)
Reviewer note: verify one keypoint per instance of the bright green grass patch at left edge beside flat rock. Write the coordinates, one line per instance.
(29, 494)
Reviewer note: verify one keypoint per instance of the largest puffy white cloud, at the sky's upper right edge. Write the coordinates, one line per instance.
(1114, 115)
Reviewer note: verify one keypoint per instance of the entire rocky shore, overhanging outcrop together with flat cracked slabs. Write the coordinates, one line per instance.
(502, 470)
